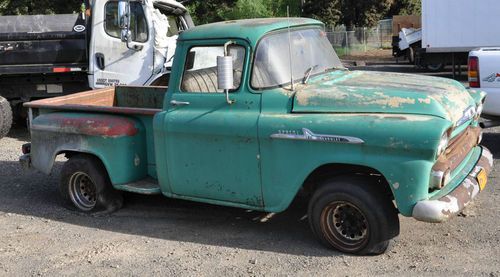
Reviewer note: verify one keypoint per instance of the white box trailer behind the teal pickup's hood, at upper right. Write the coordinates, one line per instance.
(450, 29)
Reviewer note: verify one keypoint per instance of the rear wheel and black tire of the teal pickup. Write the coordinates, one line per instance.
(85, 186)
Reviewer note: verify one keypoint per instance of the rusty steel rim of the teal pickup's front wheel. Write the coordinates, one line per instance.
(345, 226)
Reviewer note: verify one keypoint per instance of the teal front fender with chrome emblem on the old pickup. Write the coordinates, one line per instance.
(400, 147)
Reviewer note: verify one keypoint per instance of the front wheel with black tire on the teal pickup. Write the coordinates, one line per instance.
(353, 216)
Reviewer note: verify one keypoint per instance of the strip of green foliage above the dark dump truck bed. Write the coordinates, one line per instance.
(17, 7)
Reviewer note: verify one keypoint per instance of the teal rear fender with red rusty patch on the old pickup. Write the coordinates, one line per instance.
(119, 142)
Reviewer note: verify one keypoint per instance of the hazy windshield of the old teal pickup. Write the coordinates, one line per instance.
(311, 51)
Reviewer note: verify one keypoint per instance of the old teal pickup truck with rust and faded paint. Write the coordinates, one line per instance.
(258, 112)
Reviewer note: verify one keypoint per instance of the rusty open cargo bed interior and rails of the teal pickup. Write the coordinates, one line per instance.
(113, 100)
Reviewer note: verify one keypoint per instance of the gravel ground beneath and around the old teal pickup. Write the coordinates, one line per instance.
(160, 236)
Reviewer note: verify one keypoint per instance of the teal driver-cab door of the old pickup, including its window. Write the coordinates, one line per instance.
(212, 146)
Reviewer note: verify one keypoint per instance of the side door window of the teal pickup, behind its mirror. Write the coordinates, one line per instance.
(200, 73)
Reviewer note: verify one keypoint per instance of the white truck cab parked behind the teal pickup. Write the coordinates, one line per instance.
(154, 27)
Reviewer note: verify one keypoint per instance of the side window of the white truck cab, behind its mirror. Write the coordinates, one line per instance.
(138, 23)
